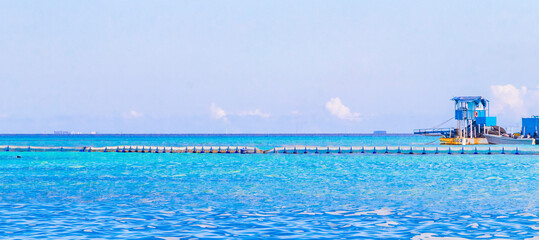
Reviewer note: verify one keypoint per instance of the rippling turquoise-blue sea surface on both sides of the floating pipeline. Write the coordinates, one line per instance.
(81, 195)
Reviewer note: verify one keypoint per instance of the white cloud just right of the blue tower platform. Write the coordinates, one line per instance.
(509, 97)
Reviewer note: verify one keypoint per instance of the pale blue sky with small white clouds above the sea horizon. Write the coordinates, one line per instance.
(262, 66)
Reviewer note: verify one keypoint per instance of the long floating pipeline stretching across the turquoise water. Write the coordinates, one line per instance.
(519, 150)
